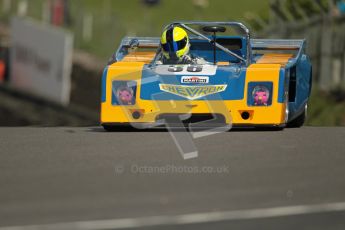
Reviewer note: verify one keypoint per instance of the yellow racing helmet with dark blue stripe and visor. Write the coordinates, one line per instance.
(175, 43)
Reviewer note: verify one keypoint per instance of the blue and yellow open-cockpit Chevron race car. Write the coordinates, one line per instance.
(244, 82)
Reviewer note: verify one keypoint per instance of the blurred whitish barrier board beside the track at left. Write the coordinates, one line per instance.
(41, 60)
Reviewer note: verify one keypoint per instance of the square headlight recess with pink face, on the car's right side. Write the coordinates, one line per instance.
(260, 93)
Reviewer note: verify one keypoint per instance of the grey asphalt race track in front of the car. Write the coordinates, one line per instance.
(84, 178)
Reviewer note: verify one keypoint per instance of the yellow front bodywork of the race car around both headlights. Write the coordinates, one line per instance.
(231, 110)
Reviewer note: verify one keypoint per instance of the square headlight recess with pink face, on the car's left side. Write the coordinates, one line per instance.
(124, 92)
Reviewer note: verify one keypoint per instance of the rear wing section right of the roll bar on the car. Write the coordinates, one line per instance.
(294, 47)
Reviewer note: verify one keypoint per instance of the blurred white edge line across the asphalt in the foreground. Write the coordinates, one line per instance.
(196, 218)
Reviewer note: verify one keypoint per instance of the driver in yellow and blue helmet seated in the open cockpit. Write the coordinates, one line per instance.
(175, 48)
